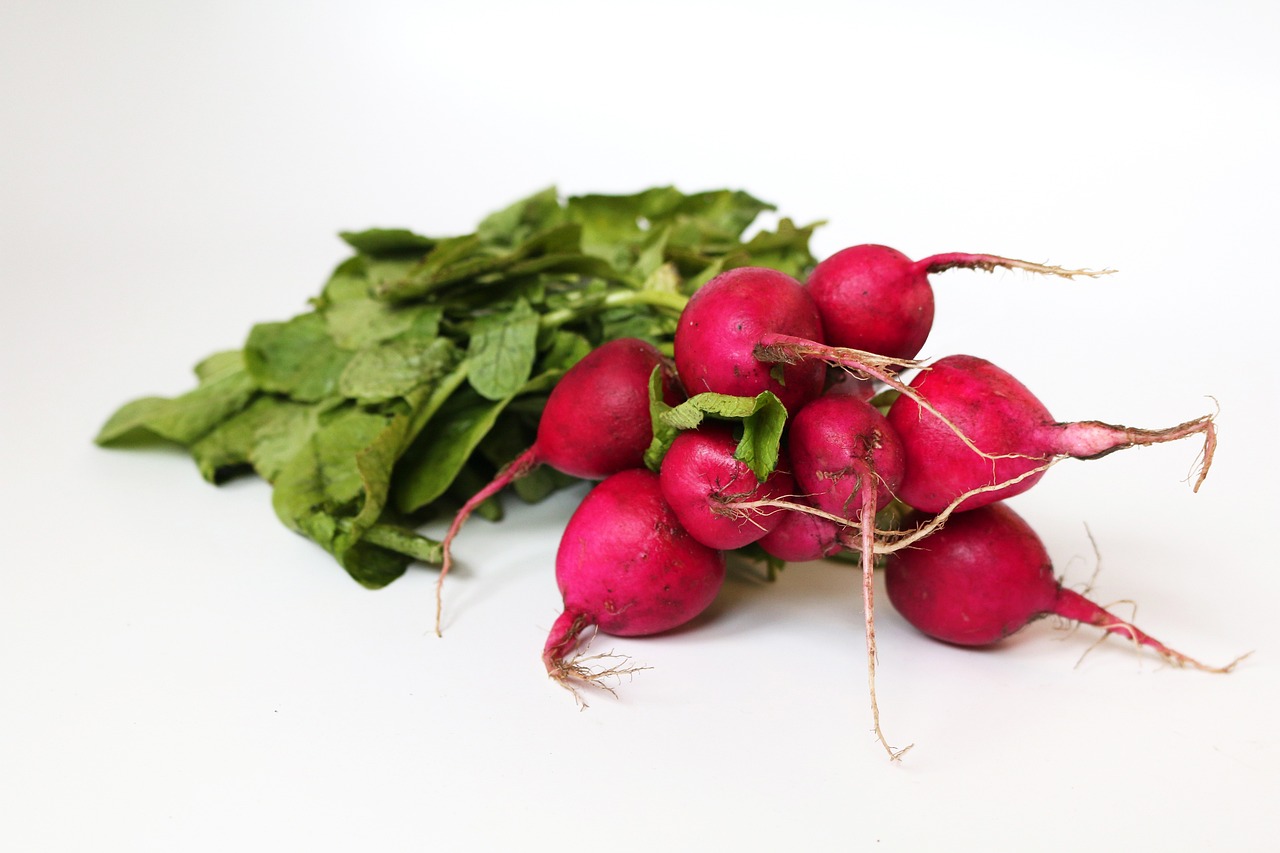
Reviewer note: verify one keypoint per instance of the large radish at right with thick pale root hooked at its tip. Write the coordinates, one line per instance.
(1011, 434)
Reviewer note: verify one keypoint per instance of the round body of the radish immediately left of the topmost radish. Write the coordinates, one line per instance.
(724, 323)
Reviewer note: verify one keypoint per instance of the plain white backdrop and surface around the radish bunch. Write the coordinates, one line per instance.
(179, 672)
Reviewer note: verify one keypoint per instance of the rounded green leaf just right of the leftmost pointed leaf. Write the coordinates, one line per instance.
(298, 358)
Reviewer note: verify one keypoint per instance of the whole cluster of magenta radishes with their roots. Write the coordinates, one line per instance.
(646, 551)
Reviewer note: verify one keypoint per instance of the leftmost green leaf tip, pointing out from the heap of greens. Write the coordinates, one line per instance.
(225, 390)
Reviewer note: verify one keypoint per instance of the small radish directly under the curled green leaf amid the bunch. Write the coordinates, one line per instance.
(705, 482)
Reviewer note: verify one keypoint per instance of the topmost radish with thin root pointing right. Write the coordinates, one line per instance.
(877, 299)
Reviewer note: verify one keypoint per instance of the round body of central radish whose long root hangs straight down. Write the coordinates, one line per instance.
(839, 446)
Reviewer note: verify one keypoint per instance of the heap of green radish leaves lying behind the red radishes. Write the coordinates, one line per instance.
(424, 363)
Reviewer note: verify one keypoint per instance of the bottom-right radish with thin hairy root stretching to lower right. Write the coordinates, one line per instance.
(986, 576)
